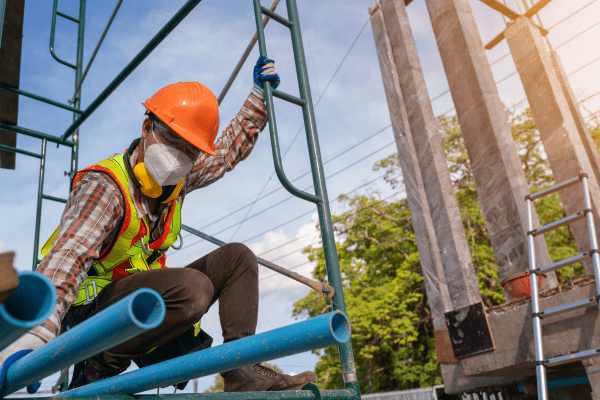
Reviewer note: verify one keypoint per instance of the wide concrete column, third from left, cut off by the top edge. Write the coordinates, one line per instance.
(501, 183)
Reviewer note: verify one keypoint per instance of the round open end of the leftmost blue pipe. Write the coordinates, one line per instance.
(32, 301)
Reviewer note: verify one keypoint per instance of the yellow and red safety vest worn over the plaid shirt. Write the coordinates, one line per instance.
(126, 255)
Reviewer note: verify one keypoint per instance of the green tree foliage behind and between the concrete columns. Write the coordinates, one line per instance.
(392, 331)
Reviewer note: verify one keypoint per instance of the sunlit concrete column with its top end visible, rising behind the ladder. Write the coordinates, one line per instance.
(562, 141)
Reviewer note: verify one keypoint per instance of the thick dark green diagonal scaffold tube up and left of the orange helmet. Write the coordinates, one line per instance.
(137, 60)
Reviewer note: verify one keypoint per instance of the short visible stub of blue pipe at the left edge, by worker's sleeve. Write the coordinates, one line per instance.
(29, 305)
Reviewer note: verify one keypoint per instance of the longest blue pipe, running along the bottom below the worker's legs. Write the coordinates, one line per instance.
(315, 333)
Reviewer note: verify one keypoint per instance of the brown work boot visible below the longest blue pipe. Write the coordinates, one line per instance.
(258, 378)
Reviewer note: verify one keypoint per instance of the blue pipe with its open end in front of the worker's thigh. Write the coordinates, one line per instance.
(142, 310)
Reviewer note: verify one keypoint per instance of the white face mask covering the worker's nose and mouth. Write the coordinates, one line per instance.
(166, 164)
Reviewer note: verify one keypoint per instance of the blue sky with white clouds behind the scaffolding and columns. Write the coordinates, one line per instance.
(205, 47)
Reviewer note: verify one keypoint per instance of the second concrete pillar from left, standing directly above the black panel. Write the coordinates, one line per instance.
(452, 241)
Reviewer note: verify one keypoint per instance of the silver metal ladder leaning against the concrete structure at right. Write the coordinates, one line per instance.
(540, 362)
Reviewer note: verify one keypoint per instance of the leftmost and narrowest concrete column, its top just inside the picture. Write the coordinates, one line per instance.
(431, 263)
